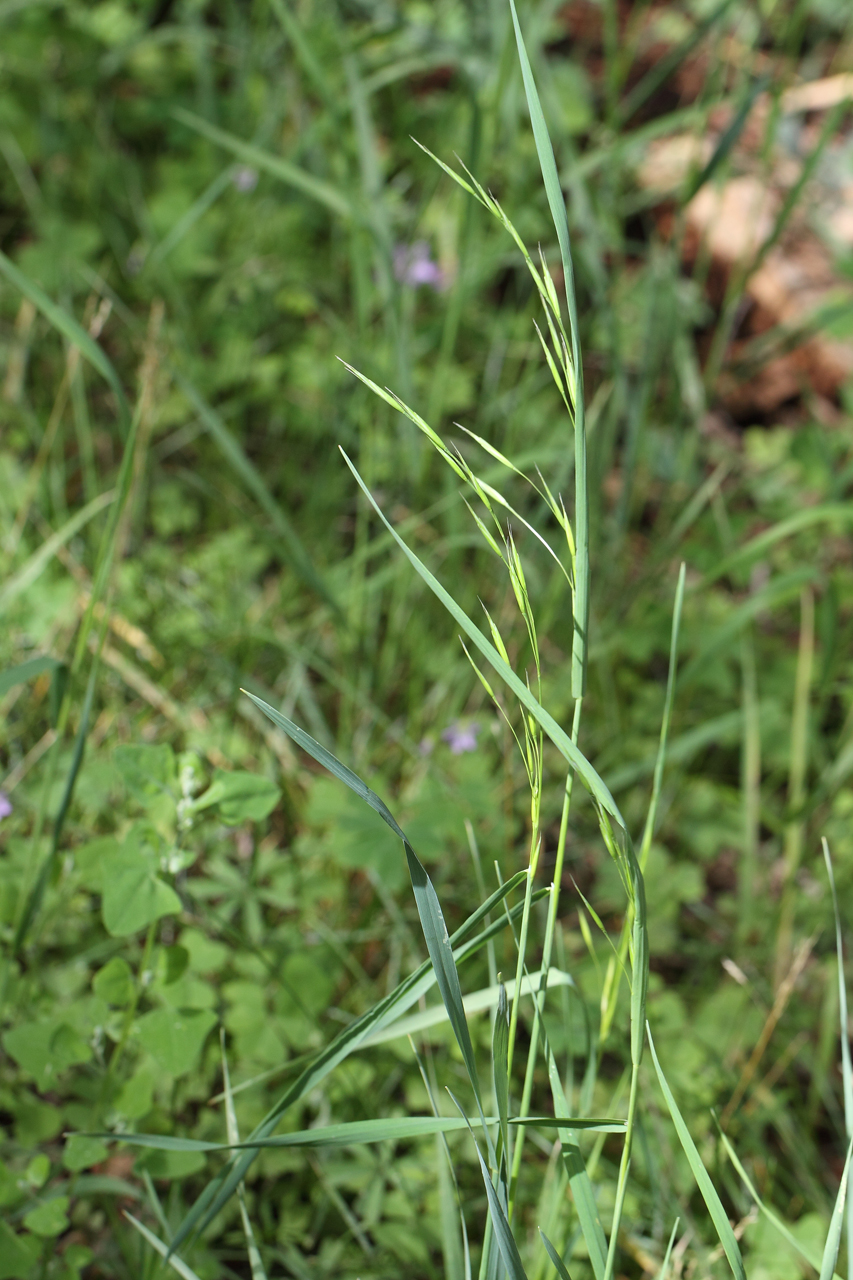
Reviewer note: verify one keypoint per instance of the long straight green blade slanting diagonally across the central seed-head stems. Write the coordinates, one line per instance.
(560, 739)
